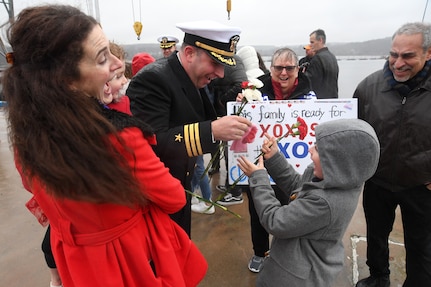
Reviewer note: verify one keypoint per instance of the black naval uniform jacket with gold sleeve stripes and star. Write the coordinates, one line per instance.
(163, 95)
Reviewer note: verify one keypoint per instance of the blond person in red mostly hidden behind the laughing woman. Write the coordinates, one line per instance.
(115, 86)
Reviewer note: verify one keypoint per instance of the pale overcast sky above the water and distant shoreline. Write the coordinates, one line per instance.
(263, 22)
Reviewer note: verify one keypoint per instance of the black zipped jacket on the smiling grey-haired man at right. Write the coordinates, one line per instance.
(402, 124)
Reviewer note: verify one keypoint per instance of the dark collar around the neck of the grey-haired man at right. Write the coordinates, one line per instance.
(404, 88)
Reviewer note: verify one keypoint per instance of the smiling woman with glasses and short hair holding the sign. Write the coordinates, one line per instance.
(285, 82)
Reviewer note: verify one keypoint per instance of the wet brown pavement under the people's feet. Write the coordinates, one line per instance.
(223, 238)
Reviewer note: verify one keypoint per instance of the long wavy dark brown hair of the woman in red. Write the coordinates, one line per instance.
(58, 133)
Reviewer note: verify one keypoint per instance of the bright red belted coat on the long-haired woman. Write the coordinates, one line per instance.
(111, 245)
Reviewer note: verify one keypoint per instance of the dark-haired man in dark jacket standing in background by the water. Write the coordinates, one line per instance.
(323, 69)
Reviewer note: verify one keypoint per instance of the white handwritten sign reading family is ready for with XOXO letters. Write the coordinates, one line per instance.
(278, 118)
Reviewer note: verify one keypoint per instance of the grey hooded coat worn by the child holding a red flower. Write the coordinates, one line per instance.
(307, 248)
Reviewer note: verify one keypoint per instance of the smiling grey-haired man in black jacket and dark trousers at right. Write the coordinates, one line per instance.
(396, 102)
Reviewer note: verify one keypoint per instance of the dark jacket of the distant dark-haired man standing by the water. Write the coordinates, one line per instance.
(323, 73)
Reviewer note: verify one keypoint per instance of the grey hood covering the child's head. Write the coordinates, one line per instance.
(349, 152)
